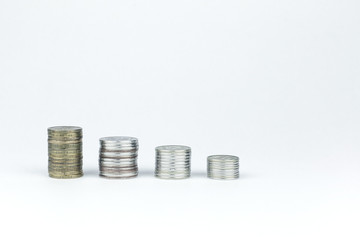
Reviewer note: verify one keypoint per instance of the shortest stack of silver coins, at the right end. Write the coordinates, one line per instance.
(223, 167)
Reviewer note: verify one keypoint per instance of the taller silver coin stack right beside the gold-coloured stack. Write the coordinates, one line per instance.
(118, 157)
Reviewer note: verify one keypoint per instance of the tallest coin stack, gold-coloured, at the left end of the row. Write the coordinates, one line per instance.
(65, 152)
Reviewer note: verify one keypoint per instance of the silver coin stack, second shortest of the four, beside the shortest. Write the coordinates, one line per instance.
(173, 162)
